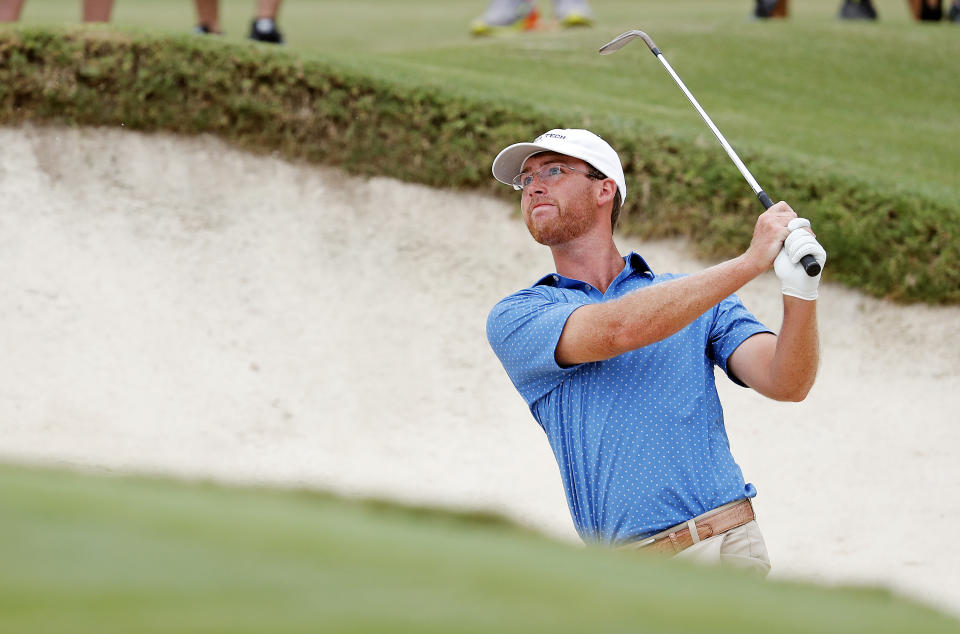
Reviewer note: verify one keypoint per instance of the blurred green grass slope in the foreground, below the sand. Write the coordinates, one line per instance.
(97, 553)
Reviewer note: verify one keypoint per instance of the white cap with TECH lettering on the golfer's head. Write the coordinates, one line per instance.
(581, 144)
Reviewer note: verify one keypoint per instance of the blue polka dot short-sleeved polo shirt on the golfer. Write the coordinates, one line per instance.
(639, 438)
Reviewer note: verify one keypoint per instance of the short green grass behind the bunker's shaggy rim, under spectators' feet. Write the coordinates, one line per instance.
(875, 101)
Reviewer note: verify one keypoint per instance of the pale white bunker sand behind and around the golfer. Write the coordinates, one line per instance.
(173, 305)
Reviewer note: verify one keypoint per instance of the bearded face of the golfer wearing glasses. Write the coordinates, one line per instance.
(558, 210)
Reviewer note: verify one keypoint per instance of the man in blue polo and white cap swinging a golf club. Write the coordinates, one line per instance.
(616, 362)
